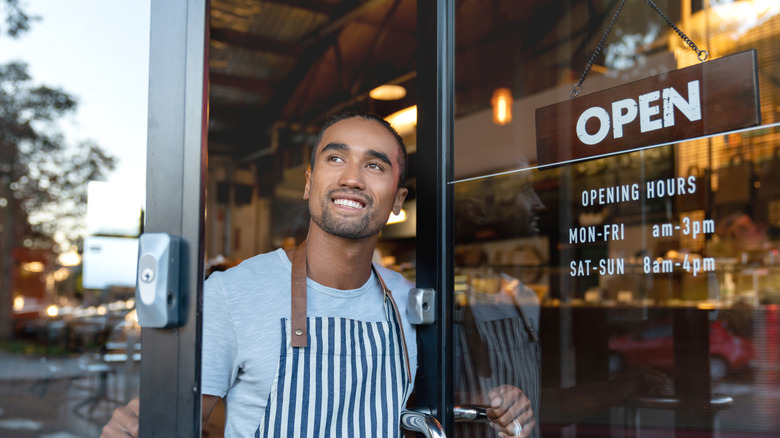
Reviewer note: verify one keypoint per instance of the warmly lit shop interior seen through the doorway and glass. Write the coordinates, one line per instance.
(278, 69)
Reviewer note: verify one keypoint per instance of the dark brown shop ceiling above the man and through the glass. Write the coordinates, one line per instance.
(289, 63)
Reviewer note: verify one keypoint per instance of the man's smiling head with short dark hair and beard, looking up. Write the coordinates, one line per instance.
(354, 184)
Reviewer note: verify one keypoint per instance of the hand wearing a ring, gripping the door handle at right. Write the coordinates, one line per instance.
(510, 412)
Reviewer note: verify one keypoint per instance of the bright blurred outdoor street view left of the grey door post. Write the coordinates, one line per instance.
(73, 99)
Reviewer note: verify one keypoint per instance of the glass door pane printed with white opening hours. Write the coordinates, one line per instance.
(633, 292)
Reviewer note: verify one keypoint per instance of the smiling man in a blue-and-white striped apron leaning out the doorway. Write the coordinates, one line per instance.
(336, 354)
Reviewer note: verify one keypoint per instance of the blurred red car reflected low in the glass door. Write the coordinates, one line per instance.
(654, 346)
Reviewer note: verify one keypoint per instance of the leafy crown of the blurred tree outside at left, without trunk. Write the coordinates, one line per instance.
(46, 177)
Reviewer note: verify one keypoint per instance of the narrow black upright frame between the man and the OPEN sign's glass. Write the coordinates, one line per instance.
(435, 119)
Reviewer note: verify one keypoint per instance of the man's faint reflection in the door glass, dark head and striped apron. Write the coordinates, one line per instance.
(497, 347)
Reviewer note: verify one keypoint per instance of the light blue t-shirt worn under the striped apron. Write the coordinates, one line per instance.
(242, 309)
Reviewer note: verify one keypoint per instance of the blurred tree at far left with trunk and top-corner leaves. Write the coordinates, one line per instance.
(43, 178)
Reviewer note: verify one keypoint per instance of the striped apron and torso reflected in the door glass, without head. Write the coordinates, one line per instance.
(497, 348)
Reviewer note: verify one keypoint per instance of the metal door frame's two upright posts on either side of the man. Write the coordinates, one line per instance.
(176, 166)
